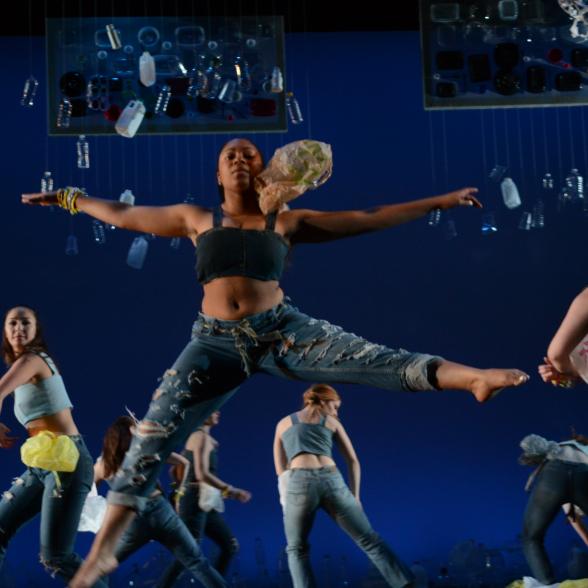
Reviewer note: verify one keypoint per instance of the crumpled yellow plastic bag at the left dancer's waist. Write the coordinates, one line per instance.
(50, 451)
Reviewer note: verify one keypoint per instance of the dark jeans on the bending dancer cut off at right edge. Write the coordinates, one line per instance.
(558, 482)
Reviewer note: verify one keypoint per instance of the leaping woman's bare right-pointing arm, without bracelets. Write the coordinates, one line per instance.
(311, 226)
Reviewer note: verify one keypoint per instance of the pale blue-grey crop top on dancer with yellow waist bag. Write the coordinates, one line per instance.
(46, 397)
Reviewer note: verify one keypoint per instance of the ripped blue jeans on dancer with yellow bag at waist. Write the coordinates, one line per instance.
(35, 492)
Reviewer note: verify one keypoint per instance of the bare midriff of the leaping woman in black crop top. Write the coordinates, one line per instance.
(236, 297)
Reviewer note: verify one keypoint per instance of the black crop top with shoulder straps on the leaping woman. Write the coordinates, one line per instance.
(230, 251)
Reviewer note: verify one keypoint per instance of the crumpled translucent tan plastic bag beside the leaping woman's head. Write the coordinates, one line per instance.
(293, 169)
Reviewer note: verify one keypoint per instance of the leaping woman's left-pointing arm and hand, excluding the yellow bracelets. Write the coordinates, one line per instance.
(178, 220)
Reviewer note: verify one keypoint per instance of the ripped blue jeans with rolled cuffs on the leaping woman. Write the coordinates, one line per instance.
(222, 354)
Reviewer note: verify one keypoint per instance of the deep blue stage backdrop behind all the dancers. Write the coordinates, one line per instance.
(437, 467)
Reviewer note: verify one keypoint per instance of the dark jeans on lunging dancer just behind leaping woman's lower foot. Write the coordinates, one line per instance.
(159, 522)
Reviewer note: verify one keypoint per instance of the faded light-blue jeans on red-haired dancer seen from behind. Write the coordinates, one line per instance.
(311, 489)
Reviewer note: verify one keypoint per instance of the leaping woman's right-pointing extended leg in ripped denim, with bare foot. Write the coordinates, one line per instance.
(315, 350)
